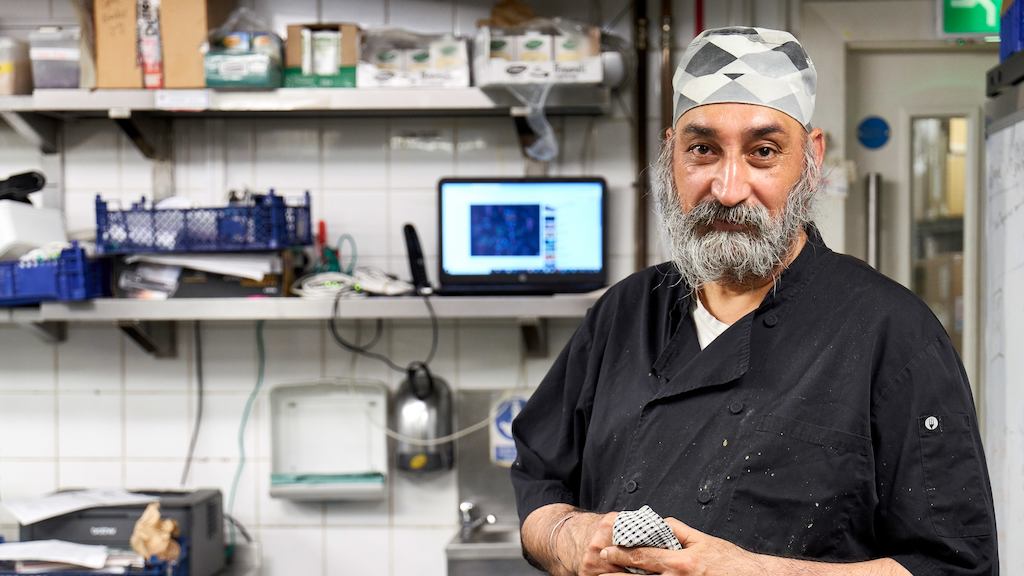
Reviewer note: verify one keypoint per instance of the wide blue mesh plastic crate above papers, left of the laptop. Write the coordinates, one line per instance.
(268, 225)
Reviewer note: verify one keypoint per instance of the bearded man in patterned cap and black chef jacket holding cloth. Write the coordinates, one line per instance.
(790, 408)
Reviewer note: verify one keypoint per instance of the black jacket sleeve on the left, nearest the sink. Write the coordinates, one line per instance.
(550, 432)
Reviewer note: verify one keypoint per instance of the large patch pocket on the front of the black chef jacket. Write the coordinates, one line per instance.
(800, 489)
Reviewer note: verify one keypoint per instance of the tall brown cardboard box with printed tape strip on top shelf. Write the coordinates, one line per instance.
(184, 28)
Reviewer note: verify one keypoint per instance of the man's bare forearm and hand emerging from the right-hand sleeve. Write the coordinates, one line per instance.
(704, 555)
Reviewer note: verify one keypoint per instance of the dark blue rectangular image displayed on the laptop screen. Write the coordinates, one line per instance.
(505, 230)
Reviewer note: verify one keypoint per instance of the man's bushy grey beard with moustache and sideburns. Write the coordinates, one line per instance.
(748, 258)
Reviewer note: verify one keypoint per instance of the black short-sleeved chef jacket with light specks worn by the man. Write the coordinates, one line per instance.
(834, 423)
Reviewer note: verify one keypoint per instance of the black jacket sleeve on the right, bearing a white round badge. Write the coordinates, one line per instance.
(935, 511)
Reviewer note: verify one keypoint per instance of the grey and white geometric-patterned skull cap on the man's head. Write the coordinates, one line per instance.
(748, 66)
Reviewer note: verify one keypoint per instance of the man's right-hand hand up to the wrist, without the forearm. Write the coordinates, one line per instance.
(702, 555)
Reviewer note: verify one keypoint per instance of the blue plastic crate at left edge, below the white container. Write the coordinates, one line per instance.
(71, 277)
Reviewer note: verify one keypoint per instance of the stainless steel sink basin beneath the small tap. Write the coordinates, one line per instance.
(491, 551)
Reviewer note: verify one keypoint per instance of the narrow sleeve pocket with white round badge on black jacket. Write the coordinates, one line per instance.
(954, 479)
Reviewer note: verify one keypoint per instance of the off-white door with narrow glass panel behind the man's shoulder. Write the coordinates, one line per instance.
(929, 208)
